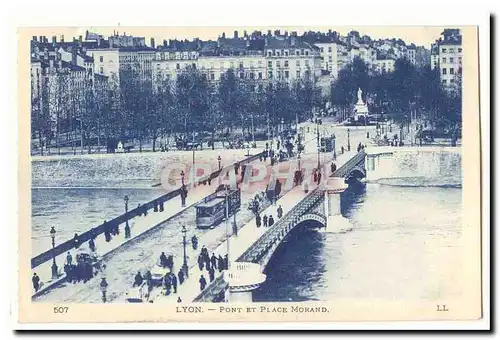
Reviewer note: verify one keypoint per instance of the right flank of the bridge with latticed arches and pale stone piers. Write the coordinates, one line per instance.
(319, 208)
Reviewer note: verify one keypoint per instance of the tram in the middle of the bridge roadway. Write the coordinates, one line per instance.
(212, 210)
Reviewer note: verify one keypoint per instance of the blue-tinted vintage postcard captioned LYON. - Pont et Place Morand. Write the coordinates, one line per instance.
(249, 174)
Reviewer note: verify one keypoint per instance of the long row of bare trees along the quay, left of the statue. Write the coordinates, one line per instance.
(134, 106)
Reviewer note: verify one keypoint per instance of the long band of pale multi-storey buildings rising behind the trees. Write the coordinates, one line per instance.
(257, 56)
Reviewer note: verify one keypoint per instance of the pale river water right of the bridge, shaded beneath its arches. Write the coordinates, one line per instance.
(403, 234)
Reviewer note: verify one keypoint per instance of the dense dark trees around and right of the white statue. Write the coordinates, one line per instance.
(407, 91)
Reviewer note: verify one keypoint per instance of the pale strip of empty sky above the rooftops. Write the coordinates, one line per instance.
(419, 35)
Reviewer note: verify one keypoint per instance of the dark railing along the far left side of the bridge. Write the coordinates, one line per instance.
(96, 231)
